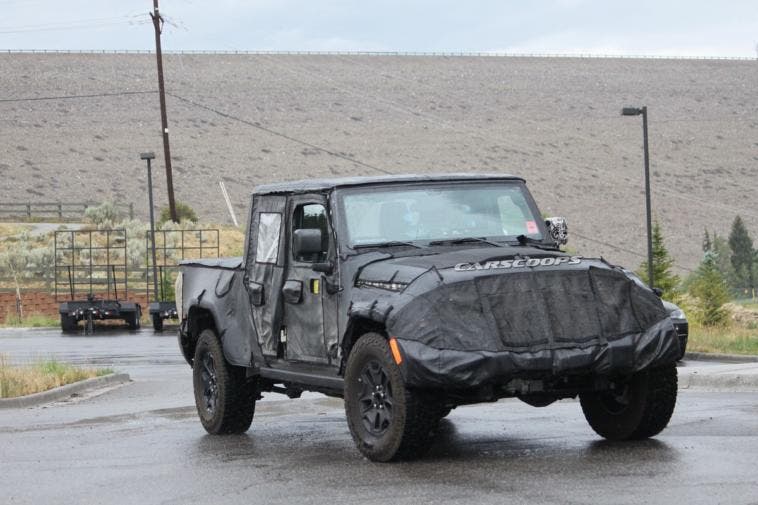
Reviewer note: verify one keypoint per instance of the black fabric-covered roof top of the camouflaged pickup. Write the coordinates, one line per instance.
(309, 185)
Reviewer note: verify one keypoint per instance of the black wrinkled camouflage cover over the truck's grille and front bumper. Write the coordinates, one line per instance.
(492, 325)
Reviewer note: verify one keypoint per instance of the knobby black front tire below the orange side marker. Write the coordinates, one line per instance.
(414, 418)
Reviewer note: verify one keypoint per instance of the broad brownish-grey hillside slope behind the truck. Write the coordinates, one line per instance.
(249, 119)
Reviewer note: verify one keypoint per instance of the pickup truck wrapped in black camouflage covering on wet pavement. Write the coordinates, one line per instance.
(410, 295)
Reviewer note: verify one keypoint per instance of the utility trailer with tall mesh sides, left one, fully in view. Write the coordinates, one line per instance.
(91, 279)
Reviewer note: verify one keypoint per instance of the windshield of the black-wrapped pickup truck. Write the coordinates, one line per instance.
(496, 211)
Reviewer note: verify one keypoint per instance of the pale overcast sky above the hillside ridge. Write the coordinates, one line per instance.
(641, 27)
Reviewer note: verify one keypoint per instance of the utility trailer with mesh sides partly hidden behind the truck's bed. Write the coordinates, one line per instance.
(172, 246)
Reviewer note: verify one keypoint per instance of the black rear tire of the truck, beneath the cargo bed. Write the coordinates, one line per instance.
(235, 395)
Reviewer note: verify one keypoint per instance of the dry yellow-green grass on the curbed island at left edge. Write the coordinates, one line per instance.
(21, 380)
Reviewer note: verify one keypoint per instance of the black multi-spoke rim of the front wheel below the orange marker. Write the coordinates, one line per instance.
(376, 400)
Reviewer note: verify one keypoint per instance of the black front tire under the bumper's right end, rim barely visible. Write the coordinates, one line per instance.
(650, 398)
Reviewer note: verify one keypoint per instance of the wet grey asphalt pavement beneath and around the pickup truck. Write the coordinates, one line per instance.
(140, 444)
